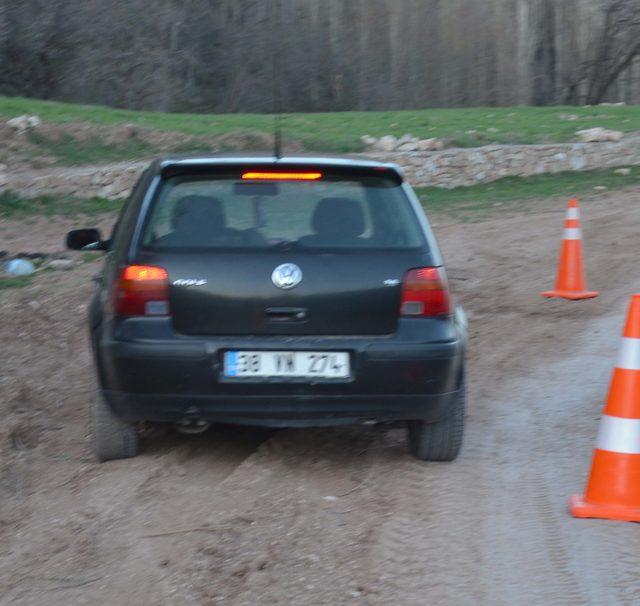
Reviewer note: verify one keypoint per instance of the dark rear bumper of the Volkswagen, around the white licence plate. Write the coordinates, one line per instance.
(413, 374)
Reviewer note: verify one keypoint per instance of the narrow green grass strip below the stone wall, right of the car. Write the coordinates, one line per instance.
(510, 189)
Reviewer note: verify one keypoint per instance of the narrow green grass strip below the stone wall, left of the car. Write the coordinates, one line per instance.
(13, 206)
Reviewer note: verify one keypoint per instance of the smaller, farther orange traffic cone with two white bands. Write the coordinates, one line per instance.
(570, 280)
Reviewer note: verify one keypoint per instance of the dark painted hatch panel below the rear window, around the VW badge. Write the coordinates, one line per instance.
(235, 293)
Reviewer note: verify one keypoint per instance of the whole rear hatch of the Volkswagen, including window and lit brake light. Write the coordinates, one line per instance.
(294, 250)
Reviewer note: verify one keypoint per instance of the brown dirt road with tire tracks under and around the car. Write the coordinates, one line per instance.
(335, 516)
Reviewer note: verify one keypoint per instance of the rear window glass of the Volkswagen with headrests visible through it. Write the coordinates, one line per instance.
(211, 212)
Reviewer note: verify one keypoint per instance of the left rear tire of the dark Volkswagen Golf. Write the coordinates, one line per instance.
(113, 438)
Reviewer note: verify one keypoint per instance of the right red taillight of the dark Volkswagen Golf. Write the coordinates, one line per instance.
(425, 293)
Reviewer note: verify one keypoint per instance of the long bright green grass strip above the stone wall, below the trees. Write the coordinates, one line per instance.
(341, 131)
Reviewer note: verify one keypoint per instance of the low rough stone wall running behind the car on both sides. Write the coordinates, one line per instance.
(447, 168)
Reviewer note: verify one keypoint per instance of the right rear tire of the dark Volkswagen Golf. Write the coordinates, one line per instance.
(440, 441)
